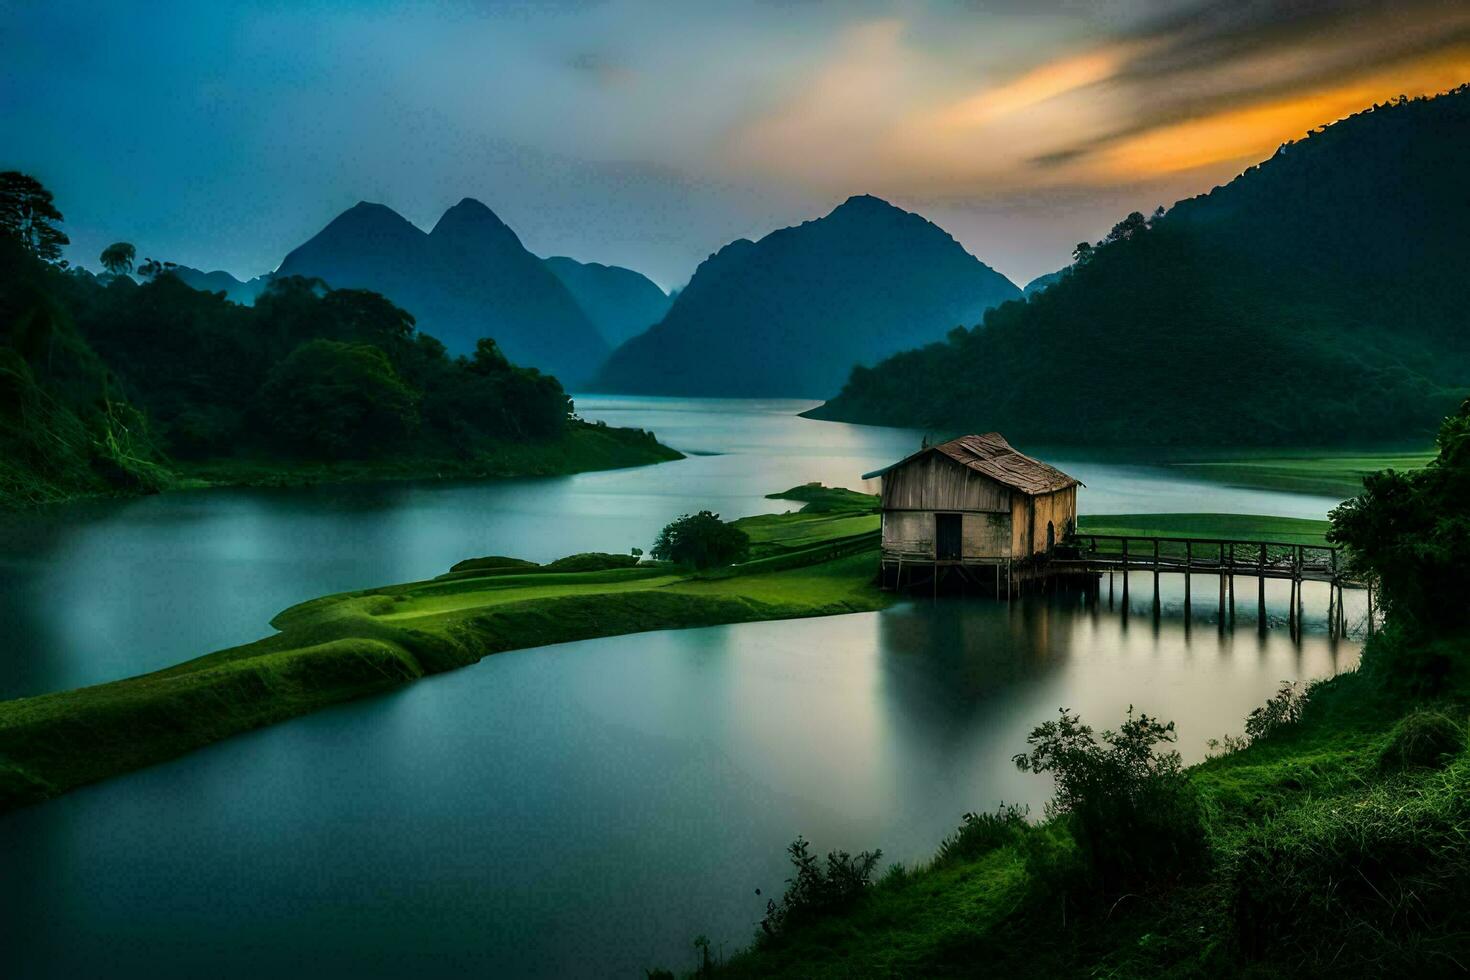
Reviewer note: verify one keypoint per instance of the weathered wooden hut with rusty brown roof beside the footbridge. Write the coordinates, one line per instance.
(974, 502)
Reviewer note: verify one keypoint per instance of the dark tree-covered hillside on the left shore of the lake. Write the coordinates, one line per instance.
(114, 386)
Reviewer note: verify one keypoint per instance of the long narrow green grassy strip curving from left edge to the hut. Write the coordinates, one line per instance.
(351, 646)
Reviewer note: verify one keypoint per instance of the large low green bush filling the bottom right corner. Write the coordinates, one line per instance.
(1371, 885)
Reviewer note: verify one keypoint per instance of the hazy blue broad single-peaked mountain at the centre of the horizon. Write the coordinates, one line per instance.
(792, 314)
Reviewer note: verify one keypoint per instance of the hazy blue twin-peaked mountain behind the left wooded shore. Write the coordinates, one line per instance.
(468, 278)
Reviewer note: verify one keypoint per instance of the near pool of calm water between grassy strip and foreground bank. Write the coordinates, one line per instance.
(584, 810)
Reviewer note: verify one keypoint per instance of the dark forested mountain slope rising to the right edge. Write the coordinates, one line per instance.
(1316, 299)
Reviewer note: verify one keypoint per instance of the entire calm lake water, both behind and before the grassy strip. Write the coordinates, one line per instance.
(578, 810)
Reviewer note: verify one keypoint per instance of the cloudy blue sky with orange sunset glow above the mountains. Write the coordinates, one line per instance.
(650, 133)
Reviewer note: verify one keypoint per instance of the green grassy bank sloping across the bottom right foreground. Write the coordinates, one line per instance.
(1335, 846)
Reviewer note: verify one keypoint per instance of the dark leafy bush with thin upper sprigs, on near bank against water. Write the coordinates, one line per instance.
(1134, 813)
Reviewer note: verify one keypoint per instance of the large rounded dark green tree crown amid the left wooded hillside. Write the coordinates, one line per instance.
(339, 400)
